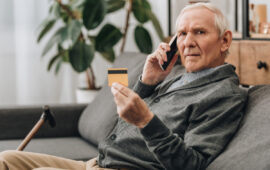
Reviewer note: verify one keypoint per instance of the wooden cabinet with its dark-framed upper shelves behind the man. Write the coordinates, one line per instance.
(250, 54)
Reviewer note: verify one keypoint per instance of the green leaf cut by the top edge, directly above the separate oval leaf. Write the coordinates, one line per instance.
(140, 10)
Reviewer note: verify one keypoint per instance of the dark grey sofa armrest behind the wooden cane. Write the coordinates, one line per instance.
(16, 122)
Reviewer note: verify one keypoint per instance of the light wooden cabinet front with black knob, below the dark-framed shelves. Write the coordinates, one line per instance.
(252, 61)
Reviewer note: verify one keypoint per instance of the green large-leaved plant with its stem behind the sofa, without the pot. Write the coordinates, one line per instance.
(73, 22)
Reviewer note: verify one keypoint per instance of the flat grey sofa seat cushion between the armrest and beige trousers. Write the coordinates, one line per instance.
(67, 147)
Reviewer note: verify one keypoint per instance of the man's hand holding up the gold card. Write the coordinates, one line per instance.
(130, 106)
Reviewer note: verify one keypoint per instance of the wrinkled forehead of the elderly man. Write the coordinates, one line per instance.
(200, 16)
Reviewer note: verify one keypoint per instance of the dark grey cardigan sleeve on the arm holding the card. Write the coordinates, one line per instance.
(210, 129)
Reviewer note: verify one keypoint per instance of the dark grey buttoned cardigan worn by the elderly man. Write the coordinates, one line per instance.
(191, 126)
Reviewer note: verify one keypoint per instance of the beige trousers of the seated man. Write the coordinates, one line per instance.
(20, 160)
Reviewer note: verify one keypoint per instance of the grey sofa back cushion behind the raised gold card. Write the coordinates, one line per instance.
(100, 116)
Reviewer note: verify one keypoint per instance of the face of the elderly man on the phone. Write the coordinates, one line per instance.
(198, 40)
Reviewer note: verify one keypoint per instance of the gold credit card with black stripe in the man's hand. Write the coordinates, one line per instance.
(118, 75)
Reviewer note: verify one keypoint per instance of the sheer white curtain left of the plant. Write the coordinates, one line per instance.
(24, 76)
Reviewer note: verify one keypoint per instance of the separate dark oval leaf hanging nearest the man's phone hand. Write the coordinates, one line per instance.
(143, 40)
